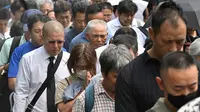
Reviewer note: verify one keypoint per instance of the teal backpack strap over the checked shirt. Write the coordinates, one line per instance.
(89, 98)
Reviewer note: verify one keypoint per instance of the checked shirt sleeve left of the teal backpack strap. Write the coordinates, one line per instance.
(79, 104)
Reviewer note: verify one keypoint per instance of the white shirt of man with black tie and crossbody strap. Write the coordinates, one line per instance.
(32, 73)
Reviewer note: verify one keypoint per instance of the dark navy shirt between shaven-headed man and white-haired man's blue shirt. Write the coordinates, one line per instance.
(69, 35)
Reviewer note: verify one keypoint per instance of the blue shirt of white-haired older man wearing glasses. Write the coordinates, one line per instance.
(80, 38)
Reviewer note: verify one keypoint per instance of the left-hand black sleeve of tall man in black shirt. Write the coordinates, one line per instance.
(124, 99)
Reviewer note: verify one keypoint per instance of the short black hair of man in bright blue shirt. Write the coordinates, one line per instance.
(35, 18)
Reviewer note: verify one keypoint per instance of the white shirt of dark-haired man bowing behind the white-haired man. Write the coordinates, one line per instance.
(115, 24)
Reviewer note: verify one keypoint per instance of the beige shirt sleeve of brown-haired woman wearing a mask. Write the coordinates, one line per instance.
(60, 90)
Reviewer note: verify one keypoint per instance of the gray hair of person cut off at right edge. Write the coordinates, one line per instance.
(194, 48)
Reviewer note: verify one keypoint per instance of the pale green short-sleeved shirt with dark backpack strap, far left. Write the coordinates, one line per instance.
(5, 50)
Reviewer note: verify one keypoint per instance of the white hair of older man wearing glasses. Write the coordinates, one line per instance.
(91, 24)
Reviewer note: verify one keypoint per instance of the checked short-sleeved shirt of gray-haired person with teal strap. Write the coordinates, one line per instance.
(102, 101)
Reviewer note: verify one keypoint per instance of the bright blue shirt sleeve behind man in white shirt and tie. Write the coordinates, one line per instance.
(14, 64)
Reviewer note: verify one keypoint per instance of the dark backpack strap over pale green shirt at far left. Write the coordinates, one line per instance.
(14, 44)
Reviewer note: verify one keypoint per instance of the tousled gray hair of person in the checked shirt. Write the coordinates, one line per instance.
(114, 58)
